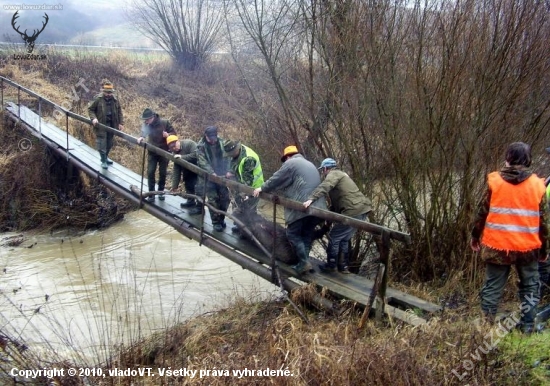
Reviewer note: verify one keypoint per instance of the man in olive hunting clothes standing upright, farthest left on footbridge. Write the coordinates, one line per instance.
(105, 109)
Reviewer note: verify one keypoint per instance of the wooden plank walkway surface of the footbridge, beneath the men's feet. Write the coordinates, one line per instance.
(353, 287)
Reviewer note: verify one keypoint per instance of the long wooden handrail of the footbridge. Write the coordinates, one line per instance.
(321, 213)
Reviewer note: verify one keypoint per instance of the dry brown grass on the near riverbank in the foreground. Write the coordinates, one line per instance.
(327, 351)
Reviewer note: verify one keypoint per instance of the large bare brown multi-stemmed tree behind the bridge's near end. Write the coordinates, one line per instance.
(417, 99)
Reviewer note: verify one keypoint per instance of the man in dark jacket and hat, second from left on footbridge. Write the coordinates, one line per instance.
(156, 130)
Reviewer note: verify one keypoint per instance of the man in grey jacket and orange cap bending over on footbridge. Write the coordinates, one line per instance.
(296, 179)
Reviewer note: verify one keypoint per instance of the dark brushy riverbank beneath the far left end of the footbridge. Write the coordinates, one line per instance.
(43, 194)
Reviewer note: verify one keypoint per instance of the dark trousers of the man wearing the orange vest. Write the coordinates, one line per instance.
(496, 276)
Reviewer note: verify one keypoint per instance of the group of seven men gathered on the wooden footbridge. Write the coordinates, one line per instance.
(297, 179)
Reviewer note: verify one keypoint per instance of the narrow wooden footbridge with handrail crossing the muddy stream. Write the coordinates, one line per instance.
(373, 295)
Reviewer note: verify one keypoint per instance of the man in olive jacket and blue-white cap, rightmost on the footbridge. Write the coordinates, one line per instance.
(345, 198)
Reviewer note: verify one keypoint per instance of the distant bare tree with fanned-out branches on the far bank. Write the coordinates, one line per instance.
(186, 29)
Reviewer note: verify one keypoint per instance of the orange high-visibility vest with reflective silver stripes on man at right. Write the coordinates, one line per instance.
(514, 218)
